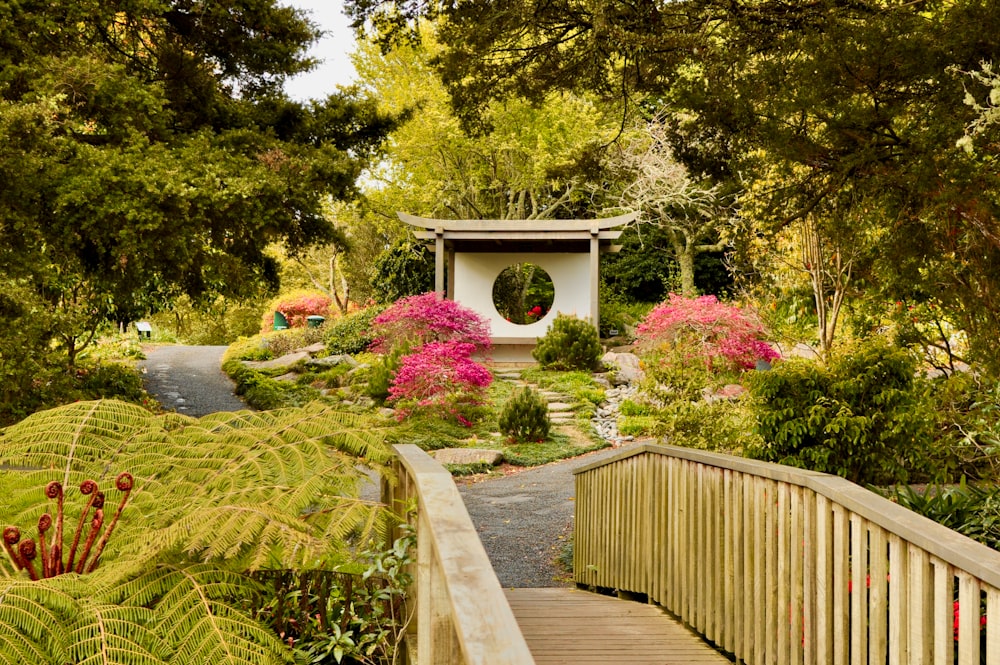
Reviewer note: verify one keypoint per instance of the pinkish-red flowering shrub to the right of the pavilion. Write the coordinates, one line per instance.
(707, 329)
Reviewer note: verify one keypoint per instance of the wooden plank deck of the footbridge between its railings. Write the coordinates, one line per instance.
(579, 628)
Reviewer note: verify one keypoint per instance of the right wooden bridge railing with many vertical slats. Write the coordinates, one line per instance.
(778, 565)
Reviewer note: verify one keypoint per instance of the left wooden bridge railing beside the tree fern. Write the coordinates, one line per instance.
(458, 610)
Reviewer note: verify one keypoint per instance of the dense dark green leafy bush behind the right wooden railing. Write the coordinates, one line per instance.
(861, 416)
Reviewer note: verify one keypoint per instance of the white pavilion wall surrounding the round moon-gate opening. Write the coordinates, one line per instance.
(475, 274)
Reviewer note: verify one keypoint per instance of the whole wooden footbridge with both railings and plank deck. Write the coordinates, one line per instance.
(736, 560)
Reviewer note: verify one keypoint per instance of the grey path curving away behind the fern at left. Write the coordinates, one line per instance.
(189, 379)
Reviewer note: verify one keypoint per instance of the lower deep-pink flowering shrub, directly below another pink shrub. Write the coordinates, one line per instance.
(440, 376)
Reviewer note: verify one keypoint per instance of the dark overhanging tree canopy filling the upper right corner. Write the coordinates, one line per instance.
(875, 113)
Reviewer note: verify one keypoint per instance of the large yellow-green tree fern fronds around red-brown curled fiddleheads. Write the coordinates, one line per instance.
(212, 499)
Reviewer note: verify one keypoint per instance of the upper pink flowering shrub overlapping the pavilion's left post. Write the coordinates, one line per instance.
(417, 320)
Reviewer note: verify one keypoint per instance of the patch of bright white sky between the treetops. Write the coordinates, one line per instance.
(333, 49)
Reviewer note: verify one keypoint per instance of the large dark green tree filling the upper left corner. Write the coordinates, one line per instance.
(146, 151)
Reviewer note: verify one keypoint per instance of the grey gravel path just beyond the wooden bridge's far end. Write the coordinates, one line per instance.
(525, 519)
